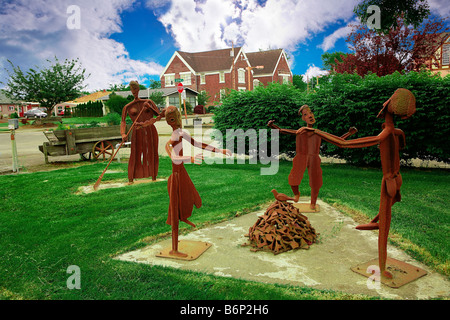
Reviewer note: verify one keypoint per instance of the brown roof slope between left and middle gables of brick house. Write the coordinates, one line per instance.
(210, 60)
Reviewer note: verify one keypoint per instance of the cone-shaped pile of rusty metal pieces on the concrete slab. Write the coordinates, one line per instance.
(281, 228)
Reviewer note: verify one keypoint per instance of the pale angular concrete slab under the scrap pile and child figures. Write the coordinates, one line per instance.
(326, 265)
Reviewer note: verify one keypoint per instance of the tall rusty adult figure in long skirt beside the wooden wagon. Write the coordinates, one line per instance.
(144, 159)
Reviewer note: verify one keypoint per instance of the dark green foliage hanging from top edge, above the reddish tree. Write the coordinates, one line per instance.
(414, 12)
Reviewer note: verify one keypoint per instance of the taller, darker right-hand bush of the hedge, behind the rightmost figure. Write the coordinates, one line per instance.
(349, 100)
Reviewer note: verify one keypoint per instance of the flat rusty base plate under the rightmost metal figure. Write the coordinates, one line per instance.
(402, 272)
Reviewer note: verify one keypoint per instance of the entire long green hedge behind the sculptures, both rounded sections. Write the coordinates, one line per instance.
(347, 100)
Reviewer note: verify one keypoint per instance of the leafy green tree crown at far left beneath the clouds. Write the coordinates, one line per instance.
(49, 86)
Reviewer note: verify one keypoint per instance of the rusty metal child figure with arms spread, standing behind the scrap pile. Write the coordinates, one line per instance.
(307, 155)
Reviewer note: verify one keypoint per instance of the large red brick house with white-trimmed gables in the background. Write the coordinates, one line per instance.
(218, 70)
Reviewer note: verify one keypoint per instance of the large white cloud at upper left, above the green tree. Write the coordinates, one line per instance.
(32, 31)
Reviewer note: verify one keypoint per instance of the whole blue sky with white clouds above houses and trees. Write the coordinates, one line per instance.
(121, 40)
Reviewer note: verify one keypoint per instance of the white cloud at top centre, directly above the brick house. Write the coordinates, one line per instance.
(211, 24)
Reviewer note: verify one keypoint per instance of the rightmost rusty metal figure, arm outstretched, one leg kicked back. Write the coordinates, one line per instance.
(390, 141)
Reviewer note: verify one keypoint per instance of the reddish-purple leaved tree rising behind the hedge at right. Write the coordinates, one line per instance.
(403, 48)
